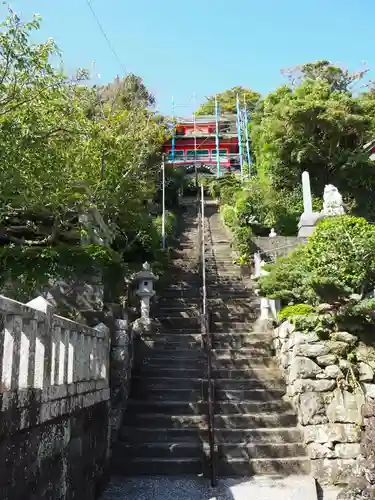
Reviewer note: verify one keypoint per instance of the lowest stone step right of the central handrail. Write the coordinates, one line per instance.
(265, 466)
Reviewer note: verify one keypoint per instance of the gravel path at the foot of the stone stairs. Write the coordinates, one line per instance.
(290, 488)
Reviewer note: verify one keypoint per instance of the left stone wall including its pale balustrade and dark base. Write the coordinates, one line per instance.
(54, 404)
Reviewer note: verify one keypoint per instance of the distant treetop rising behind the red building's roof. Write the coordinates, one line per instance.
(227, 101)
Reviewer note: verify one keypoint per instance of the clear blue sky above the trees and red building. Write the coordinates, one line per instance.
(204, 46)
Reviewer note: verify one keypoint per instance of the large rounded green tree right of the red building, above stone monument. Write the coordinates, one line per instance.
(312, 127)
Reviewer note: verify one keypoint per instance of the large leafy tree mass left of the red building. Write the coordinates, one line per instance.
(63, 149)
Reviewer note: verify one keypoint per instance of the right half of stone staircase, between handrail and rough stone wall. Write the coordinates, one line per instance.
(256, 429)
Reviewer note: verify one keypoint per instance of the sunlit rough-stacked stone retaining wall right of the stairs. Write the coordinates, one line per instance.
(329, 408)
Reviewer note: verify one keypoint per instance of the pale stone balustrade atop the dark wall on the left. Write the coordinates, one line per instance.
(53, 358)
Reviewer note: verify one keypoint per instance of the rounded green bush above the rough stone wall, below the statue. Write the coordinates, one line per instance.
(337, 262)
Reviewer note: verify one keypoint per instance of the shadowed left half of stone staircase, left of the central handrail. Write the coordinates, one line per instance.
(164, 431)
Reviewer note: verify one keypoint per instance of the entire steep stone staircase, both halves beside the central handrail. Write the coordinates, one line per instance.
(165, 430)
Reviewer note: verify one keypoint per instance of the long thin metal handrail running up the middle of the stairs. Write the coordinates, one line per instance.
(207, 341)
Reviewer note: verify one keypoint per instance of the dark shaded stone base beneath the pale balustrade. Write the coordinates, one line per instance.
(61, 458)
